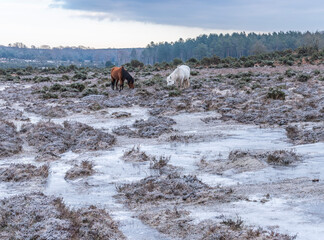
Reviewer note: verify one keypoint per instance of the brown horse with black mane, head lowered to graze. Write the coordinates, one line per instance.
(118, 76)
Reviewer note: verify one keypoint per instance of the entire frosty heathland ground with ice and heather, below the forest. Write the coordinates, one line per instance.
(238, 155)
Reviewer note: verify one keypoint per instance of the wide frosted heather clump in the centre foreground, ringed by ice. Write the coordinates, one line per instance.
(172, 187)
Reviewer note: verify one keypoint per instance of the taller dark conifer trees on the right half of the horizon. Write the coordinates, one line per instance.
(230, 45)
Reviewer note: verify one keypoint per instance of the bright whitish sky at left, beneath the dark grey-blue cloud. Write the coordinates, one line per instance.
(35, 23)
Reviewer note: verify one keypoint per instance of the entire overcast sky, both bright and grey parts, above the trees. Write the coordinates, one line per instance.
(130, 23)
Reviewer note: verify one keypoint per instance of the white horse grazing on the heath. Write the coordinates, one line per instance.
(180, 77)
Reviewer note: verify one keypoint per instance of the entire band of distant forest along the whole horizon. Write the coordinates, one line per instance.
(222, 45)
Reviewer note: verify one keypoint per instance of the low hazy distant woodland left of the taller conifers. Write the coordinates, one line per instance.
(47, 56)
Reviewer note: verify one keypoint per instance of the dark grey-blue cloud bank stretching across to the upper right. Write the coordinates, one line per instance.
(257, 15)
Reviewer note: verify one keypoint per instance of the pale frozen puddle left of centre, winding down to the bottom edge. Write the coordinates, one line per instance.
(100, 189)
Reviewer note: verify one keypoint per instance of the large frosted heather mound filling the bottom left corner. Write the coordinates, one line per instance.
(36, 216)
